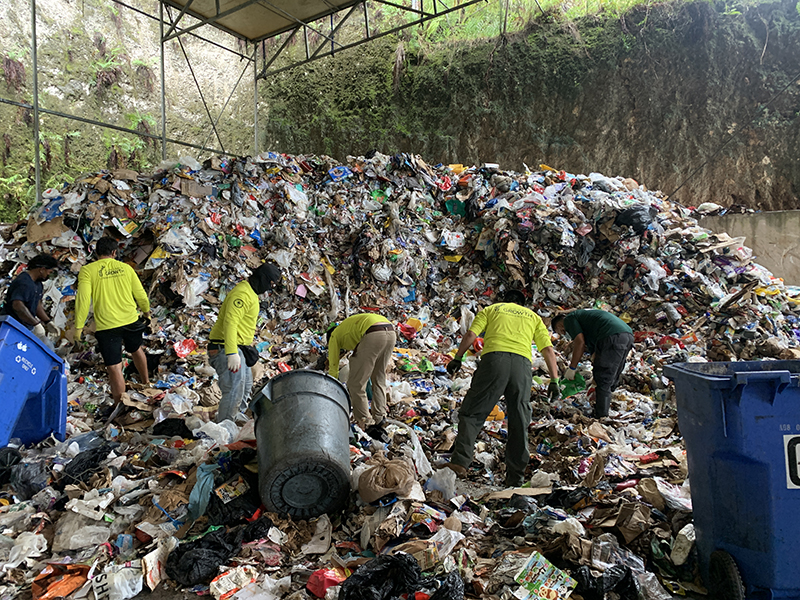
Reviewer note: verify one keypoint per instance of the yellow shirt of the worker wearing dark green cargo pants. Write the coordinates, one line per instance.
(510, 328)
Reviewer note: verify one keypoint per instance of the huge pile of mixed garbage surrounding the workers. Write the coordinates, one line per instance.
(163, 496)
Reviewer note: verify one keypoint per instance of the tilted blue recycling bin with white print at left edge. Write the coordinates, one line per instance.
(33, 386)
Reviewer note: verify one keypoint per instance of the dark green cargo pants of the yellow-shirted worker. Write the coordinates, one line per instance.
(498, 374)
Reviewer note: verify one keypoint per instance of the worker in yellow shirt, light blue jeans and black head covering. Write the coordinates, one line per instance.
(231, 338)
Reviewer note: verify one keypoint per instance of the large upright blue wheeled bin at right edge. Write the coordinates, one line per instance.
(741, 425)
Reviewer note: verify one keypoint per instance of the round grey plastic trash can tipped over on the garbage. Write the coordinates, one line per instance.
(302, 430)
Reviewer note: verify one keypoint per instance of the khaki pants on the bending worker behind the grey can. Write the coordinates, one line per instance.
(370, 360)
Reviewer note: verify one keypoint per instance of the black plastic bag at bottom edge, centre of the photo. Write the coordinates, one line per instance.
(389, 577)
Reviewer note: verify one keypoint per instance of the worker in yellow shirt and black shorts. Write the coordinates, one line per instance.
(114, 291)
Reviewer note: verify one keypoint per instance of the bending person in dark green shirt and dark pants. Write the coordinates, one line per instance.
(607, 338)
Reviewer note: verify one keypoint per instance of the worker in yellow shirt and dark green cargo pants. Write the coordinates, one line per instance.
(505, 369)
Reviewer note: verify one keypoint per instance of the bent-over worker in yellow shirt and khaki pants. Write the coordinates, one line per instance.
(372, 338)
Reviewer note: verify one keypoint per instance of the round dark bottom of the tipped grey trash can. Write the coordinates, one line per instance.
(307, 490)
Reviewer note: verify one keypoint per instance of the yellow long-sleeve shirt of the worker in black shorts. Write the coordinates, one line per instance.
(114, 290)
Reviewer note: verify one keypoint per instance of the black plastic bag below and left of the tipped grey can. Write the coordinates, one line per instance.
(198, 562)
